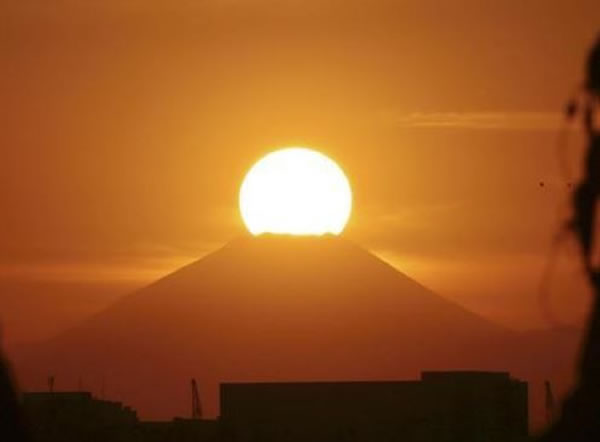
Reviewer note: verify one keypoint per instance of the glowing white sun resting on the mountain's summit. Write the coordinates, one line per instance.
(295, 191)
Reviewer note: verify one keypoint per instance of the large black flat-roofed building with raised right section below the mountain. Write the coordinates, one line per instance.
(440, 407)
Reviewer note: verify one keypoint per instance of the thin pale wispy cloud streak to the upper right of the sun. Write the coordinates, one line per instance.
(477, 120)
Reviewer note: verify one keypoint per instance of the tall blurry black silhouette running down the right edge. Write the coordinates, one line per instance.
(580, 419)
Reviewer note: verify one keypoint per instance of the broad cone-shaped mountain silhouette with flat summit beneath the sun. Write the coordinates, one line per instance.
(271, 308)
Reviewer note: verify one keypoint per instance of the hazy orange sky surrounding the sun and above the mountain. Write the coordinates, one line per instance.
(127, 127)
